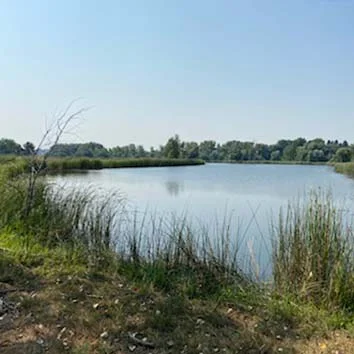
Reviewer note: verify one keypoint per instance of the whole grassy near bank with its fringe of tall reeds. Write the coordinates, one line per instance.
(82, 277)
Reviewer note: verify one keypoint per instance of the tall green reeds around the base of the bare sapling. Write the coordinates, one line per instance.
(76, 218)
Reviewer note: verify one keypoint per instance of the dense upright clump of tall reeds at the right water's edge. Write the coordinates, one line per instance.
(313, 253)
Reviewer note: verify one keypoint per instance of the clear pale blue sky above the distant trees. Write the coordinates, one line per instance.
(205, 69)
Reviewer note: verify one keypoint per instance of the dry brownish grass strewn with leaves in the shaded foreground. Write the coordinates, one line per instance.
(72, 313)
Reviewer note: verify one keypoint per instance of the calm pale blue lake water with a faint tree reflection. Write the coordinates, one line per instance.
(250, 195)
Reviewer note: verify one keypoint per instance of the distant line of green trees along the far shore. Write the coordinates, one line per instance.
(300, 149)
